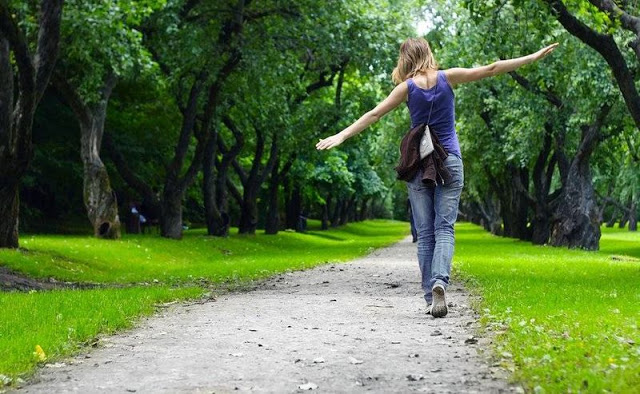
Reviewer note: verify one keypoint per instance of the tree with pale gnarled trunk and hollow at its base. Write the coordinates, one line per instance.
(101, 44)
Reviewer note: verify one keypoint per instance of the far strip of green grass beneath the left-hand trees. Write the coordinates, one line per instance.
(140, 258)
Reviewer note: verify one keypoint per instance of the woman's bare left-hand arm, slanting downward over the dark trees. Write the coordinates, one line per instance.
(397, 96)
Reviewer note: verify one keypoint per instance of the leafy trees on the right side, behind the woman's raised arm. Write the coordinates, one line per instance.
(550, 149)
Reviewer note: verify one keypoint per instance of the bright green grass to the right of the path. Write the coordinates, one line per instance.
(566, 320)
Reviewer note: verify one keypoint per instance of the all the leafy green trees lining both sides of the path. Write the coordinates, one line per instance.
(213, 109)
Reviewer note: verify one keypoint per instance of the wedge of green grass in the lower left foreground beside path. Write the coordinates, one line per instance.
(62, 321)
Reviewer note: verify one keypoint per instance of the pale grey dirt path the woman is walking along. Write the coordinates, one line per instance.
(344, 328)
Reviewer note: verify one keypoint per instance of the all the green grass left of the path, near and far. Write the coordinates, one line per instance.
(62, 321)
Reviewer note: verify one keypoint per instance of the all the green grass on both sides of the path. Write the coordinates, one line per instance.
(565, 320)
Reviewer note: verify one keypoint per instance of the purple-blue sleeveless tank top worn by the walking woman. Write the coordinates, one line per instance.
(443, 116)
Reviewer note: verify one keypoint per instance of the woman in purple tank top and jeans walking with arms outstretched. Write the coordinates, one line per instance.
(428, 93)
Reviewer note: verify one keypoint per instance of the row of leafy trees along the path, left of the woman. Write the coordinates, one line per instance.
(218, 100)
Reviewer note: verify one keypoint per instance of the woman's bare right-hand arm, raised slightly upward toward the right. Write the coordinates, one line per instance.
(463, 75)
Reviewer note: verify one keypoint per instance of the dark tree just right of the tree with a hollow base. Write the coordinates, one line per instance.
(197, 66)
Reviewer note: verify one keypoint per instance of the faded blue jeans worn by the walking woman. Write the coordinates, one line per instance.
(435, 209)
